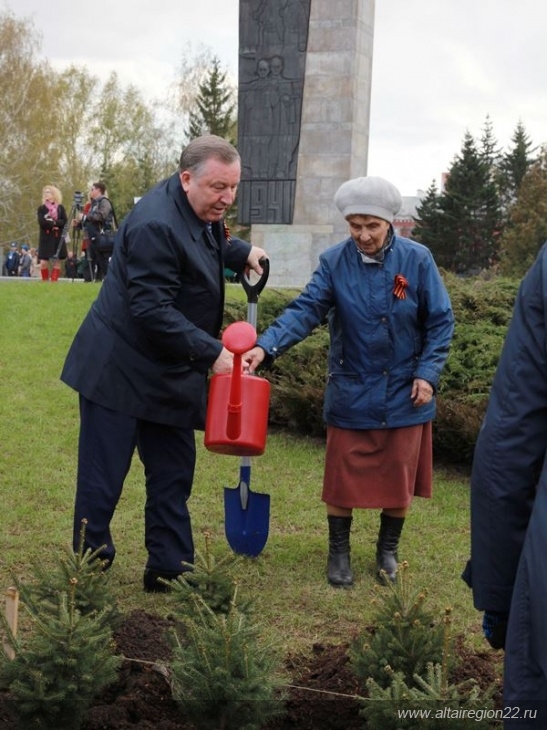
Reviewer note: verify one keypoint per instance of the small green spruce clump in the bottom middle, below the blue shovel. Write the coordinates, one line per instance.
(222, 675)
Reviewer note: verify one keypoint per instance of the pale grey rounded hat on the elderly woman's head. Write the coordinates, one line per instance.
(368, 196)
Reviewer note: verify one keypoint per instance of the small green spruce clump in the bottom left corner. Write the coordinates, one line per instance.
(69, 654)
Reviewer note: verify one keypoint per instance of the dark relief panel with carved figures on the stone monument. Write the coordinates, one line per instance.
(272, 61)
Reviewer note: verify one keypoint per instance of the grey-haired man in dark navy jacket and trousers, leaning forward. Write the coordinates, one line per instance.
(141, 357)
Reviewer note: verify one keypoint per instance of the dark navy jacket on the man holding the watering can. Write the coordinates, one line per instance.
(149, 339)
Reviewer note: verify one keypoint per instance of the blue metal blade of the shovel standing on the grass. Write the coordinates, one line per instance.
(246, 528)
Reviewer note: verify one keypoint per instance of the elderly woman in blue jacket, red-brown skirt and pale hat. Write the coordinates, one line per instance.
(390, 323)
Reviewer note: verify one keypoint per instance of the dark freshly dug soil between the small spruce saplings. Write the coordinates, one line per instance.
(321, 696)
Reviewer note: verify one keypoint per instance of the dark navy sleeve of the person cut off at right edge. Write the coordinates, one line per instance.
(511, 448)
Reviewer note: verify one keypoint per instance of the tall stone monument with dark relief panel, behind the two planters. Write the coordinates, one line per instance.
(305, 69)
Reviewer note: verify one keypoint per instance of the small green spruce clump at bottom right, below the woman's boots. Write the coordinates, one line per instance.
(407, 665)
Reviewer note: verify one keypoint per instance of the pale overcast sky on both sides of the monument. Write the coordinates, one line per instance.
(440, 66)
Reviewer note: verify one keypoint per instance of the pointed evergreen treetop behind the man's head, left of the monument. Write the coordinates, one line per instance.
(215, 104)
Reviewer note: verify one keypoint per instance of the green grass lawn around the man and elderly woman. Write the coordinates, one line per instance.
(38, 438)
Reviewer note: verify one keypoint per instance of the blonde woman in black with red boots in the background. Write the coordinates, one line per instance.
(52, 219)
